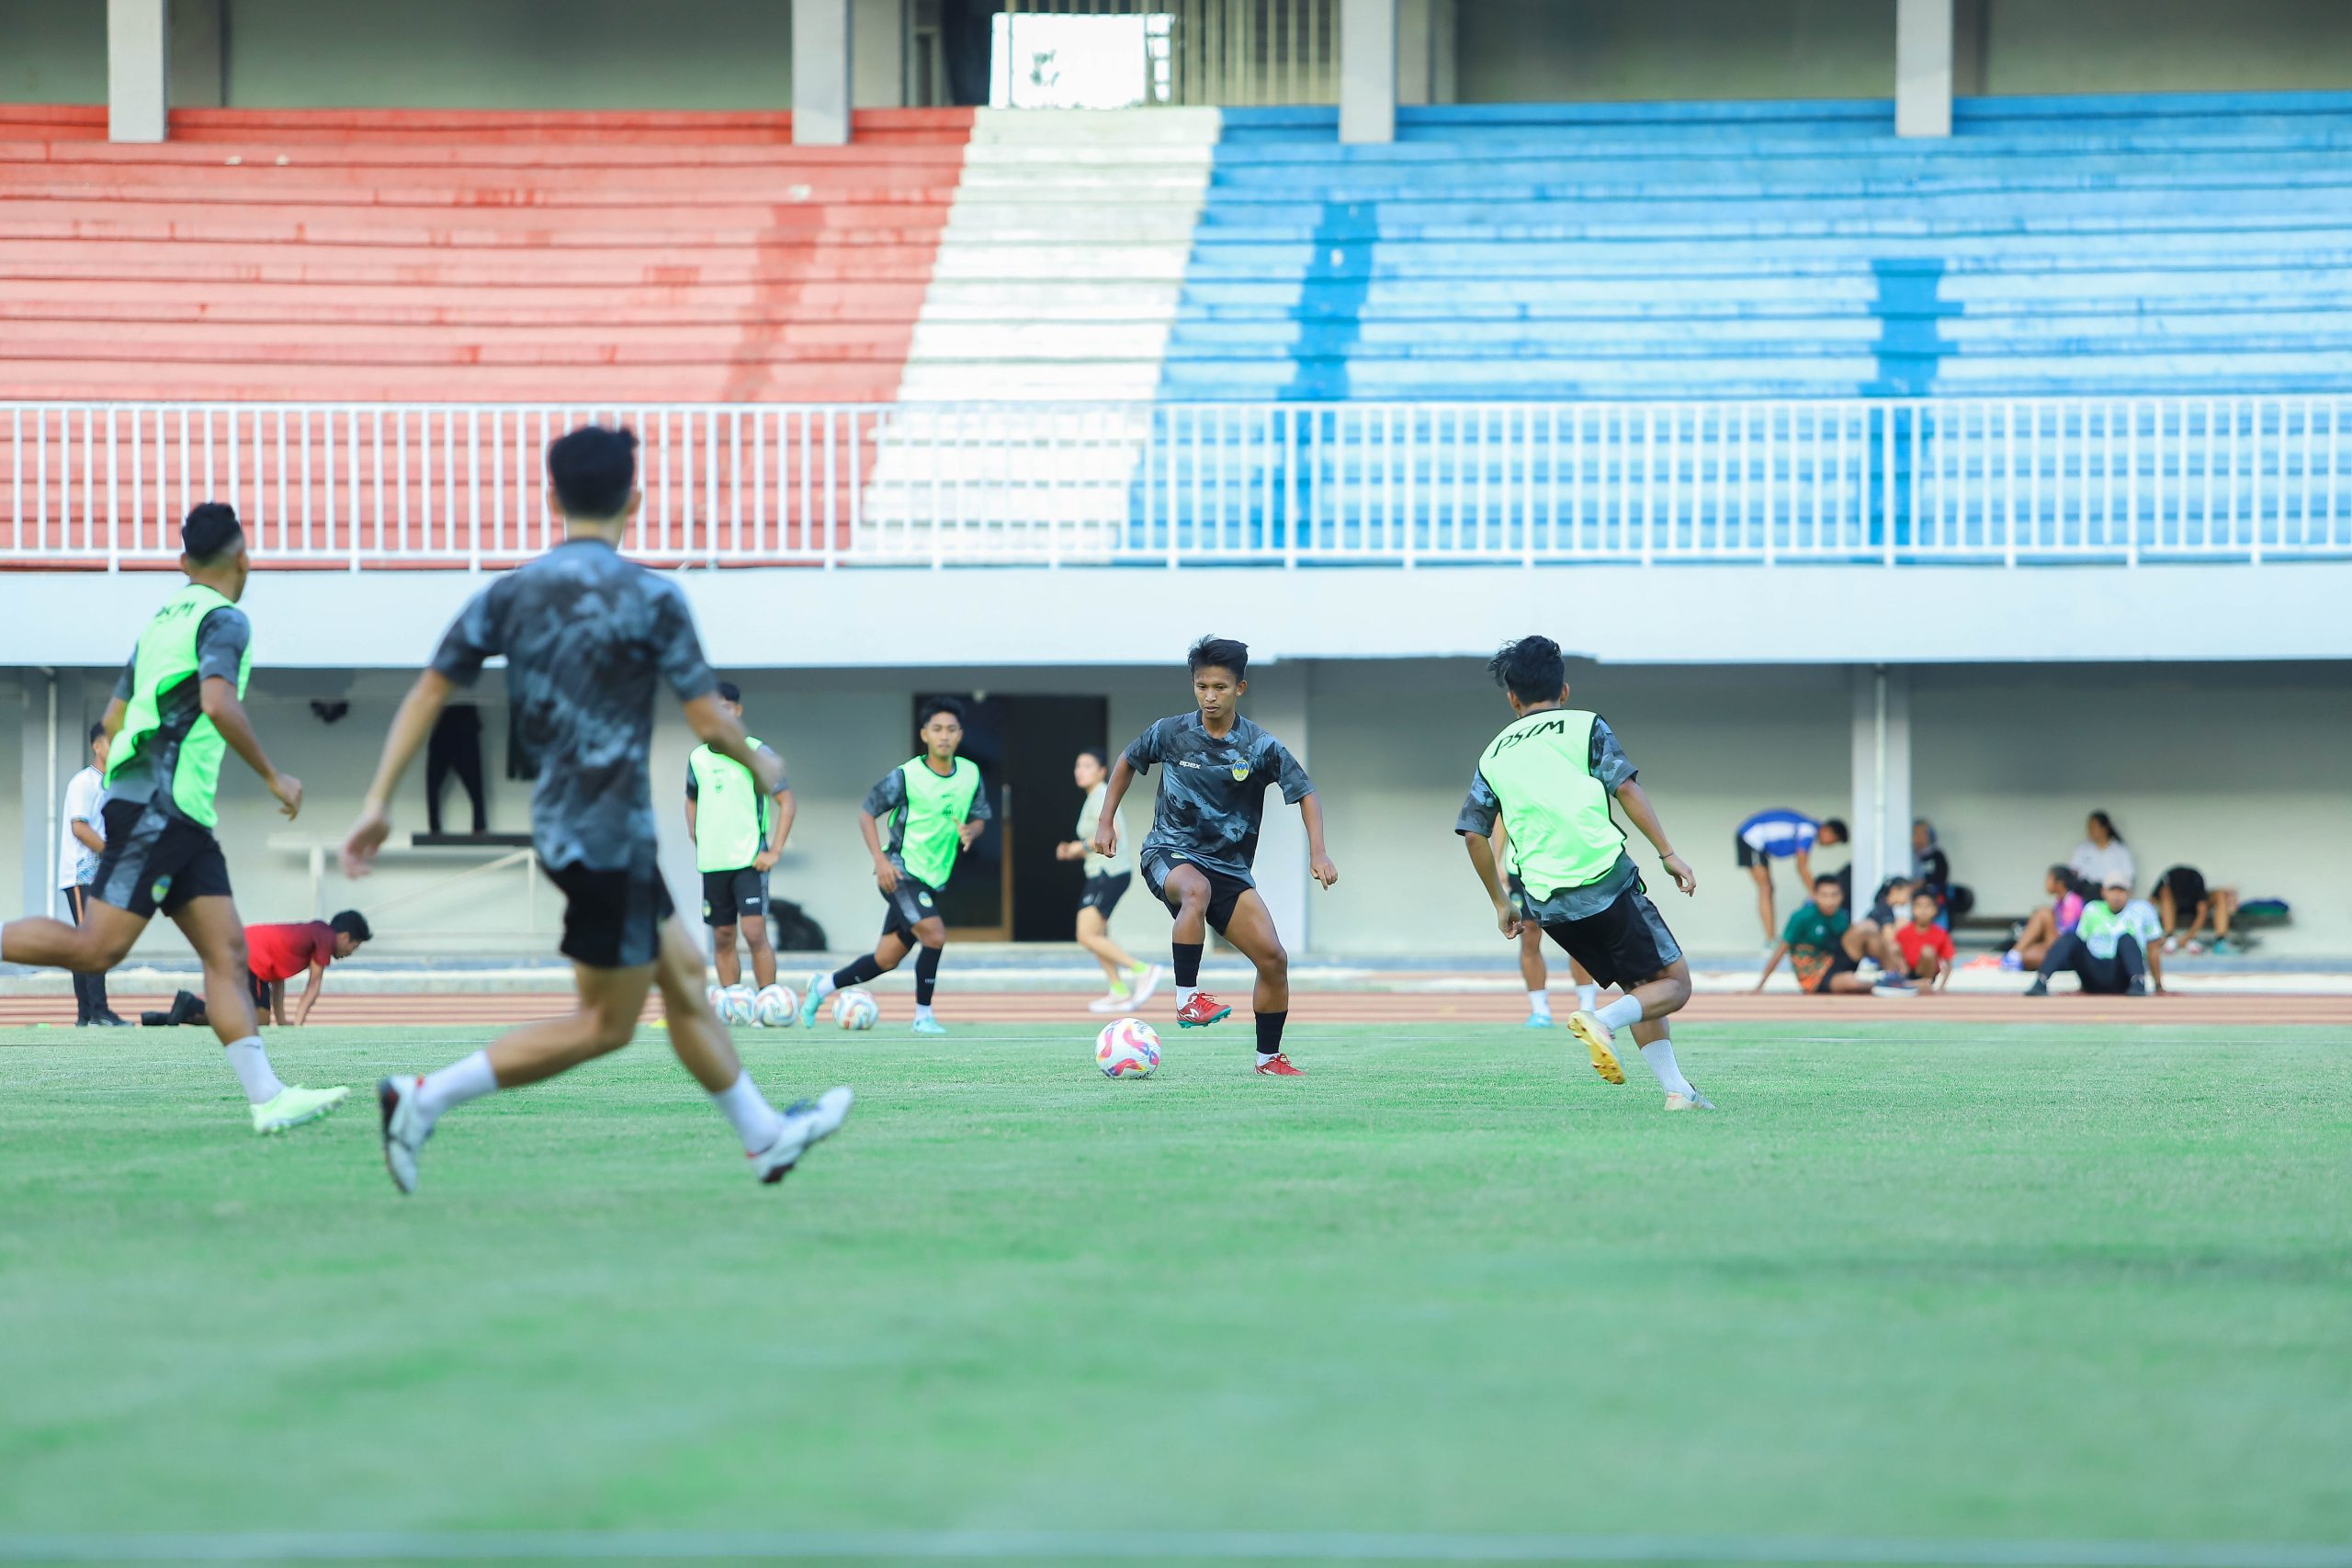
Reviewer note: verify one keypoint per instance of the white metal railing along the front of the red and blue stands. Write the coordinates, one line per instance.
(1288, 483)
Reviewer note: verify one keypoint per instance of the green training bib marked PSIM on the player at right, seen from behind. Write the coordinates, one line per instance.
(1556, 810)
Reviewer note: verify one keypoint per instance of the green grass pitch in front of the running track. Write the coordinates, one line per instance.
(1911, 1282)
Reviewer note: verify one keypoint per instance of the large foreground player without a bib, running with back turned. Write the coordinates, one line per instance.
(589, 641)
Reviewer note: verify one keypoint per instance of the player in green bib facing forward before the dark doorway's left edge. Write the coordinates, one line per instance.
(937, 808)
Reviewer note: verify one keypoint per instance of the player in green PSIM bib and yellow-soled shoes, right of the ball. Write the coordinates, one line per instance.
(1551, 775)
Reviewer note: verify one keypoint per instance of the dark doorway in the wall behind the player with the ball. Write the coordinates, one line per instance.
(1010, 885)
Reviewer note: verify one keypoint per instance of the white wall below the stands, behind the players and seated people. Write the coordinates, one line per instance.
(2240, 770)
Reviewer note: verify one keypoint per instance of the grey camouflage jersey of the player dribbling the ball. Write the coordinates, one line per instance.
(1212, 796)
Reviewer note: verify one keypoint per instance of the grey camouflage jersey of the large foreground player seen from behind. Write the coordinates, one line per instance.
(589, 643)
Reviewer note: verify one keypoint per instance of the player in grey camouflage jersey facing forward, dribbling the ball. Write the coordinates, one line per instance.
(1205, 838)
